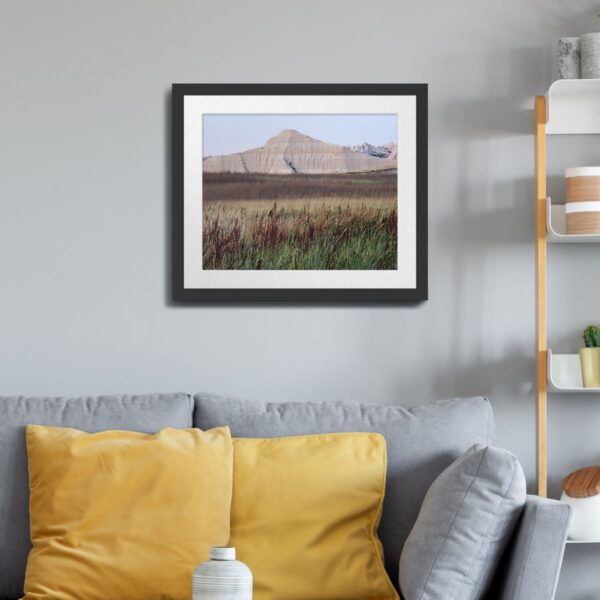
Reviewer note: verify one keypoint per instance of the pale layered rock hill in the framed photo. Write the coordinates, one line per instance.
(293, 152)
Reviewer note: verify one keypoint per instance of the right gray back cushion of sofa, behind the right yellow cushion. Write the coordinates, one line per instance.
(421, 443)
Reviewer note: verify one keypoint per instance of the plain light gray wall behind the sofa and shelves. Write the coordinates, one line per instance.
(84, 195)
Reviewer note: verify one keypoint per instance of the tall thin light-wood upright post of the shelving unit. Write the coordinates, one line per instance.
(541, 299)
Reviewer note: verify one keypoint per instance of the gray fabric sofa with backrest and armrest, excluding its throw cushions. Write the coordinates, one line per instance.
(421, 443)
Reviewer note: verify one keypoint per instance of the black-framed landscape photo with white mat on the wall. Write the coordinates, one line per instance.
(299, 193)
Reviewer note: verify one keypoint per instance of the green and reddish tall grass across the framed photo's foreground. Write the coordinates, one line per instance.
(323, 238)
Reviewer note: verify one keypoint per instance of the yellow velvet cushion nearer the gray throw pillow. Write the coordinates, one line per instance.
(305, 513)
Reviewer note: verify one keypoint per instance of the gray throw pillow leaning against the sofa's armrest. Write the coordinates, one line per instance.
(466, 520)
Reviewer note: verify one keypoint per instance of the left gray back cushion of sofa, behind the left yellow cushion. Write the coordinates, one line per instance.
(135, 413)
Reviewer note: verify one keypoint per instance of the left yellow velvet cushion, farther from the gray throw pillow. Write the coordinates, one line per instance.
(124, 516)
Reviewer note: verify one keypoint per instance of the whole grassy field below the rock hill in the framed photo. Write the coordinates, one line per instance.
(300, 222)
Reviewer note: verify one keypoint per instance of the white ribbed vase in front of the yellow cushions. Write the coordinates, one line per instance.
(222, 577)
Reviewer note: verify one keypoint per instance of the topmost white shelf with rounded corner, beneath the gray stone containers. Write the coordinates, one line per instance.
(573, 106)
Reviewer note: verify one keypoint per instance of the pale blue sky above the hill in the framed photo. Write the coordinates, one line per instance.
(228, 133)
